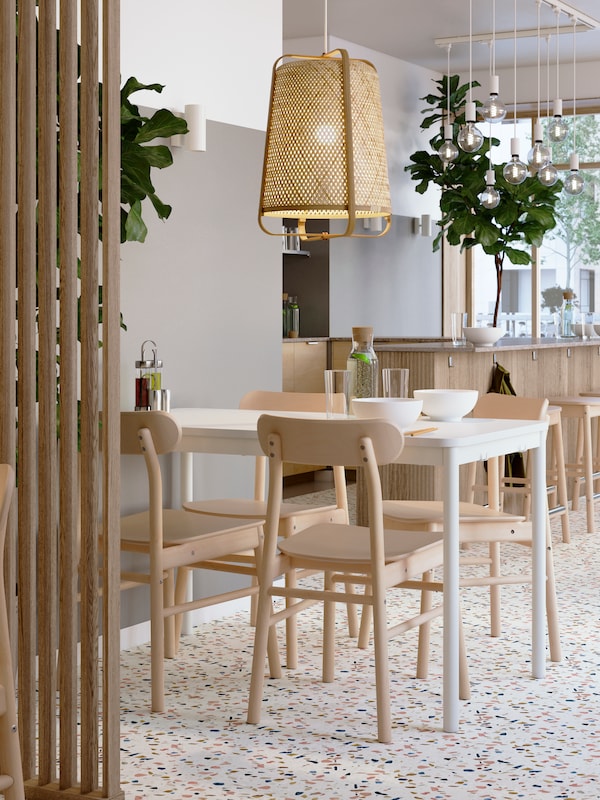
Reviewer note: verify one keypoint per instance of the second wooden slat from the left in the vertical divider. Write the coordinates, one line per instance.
(27, 472)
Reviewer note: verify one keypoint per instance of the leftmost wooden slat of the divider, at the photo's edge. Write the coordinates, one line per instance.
(7, 280)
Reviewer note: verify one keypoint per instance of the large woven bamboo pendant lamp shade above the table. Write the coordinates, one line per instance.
(325, 152)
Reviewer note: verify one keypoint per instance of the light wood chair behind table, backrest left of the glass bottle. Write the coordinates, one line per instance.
(293, 516)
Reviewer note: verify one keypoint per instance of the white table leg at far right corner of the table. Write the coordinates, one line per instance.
(538, 556)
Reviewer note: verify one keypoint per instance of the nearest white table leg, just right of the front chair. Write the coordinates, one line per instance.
(451, 591)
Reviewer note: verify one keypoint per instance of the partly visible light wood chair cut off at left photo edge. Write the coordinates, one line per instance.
(11, 770)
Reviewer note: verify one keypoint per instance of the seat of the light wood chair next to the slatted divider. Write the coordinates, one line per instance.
(179, 527)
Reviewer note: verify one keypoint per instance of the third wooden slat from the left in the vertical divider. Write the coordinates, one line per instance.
(47, 491)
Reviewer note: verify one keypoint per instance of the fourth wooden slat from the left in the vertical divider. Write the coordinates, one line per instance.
(69, 473)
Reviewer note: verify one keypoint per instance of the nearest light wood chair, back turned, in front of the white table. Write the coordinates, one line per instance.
(344, 553)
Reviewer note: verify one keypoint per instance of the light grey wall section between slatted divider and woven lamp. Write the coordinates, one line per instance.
(206, 286)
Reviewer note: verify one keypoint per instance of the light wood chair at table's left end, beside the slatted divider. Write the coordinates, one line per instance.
(171, 540)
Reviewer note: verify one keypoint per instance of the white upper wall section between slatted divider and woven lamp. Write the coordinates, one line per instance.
(218, 53)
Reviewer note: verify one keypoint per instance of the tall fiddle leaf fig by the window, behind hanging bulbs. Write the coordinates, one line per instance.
(525, 213)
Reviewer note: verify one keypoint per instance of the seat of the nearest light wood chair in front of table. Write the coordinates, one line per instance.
(350, 546)
